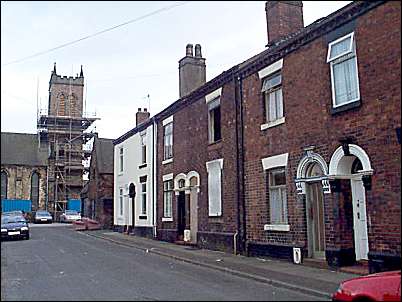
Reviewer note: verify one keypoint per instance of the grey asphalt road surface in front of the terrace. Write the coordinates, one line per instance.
(58, 263)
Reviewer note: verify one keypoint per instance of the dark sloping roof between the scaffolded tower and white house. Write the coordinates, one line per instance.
(104, 154)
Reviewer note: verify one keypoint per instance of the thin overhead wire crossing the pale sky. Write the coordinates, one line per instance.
(97, 33)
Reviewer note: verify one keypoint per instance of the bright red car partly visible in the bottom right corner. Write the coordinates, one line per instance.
(385, 286)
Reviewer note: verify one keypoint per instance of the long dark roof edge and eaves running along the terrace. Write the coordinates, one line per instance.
(276, 49)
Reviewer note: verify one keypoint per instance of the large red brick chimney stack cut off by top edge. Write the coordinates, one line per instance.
(283, 18)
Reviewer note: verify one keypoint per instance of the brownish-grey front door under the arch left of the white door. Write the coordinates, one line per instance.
(315, 221)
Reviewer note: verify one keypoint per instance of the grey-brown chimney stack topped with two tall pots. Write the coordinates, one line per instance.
(192, 70)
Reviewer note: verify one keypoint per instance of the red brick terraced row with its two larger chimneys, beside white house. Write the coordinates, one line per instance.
(294, 153)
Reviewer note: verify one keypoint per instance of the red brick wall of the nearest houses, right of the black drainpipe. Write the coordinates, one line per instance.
(307, 103)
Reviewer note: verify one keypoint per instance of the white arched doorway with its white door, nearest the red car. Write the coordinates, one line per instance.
(351, 163)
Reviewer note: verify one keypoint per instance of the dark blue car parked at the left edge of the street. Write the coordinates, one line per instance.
(13, 226)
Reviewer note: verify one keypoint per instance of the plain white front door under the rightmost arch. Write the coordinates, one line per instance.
(359, 219)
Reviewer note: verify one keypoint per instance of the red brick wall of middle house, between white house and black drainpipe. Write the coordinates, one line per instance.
(191, 151)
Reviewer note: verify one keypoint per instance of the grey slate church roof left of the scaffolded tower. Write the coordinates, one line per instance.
(22, 149)
